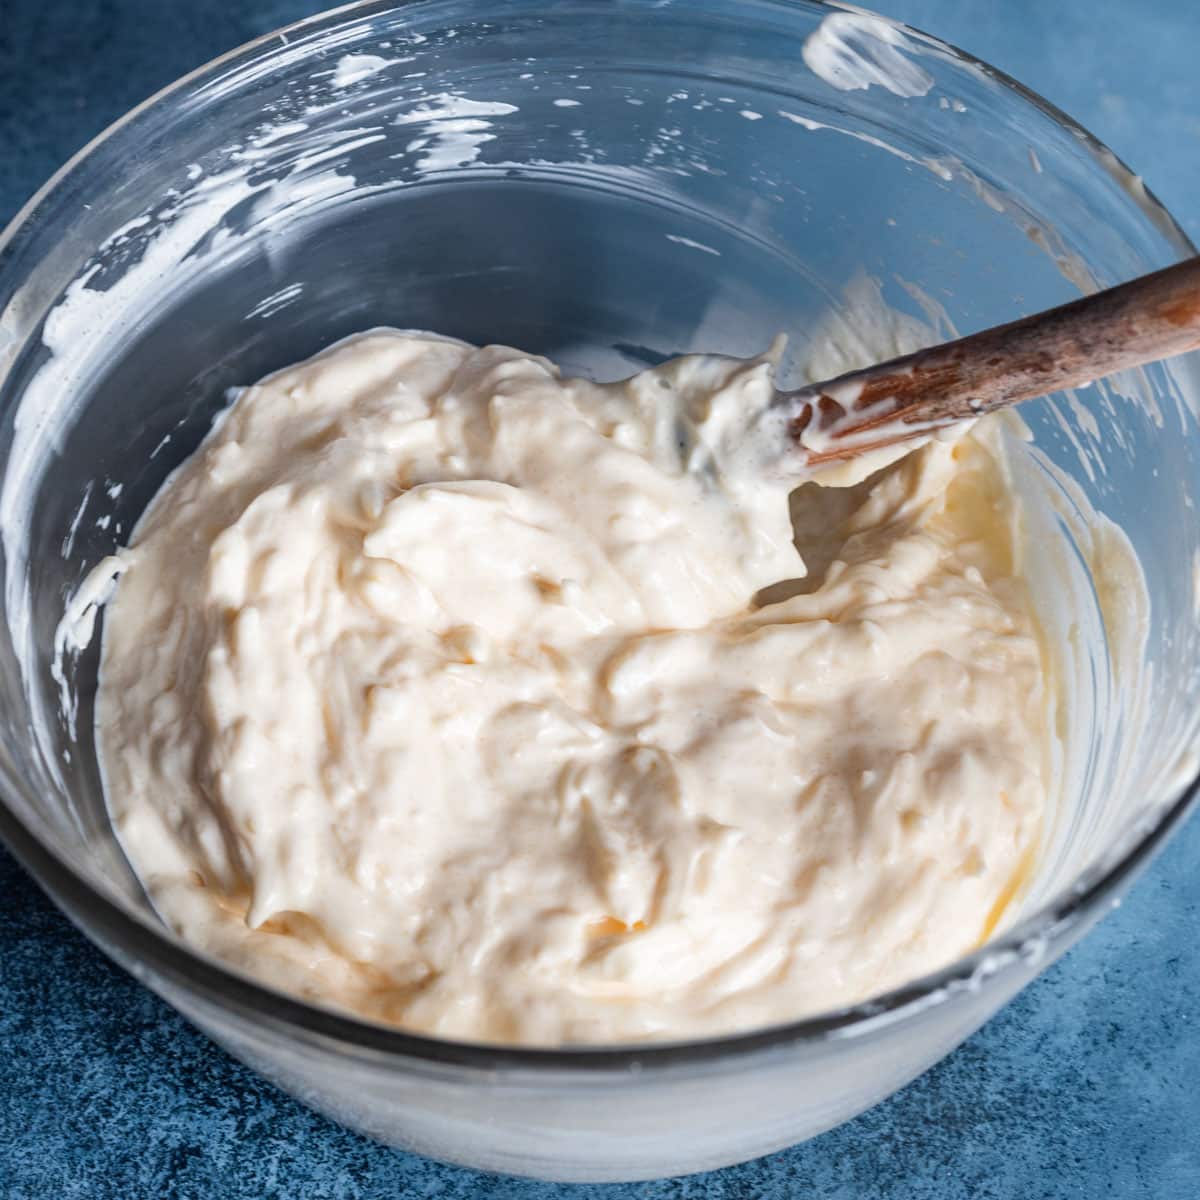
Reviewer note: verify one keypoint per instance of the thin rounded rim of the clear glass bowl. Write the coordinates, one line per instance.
(152, 952)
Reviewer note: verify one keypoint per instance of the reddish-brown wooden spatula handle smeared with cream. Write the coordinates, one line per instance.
(1153, 317)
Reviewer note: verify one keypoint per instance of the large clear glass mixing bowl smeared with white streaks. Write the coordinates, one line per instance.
(604, 182)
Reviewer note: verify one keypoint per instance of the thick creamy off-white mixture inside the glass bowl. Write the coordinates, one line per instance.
(436, 688)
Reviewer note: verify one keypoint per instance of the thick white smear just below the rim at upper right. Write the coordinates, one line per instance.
(851, 51)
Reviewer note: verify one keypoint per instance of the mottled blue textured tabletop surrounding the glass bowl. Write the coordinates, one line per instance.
(1088, 1085)
